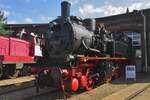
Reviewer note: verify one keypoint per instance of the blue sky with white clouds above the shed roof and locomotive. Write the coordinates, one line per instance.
(42, 11)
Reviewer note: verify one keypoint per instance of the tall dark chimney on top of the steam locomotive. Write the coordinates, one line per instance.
(65, 9)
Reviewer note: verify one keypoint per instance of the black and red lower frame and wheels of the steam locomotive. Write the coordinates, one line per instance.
(80, 75)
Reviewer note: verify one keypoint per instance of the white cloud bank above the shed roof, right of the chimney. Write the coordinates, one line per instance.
(89, 10)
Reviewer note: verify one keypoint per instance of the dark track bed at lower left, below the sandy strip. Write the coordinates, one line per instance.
(25, 91)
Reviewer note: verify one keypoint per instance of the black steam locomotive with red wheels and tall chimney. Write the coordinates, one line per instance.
(77, 54)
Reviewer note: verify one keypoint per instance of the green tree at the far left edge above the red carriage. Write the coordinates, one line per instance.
(3, 21)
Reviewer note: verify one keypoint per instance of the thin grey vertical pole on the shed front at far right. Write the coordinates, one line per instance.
(145, 42)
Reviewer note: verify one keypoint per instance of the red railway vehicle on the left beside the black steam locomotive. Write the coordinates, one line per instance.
(17, 55)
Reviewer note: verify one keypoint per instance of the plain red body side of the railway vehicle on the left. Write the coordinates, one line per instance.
(14, 50)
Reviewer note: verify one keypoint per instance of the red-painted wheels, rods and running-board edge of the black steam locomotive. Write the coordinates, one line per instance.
(81, 76)
